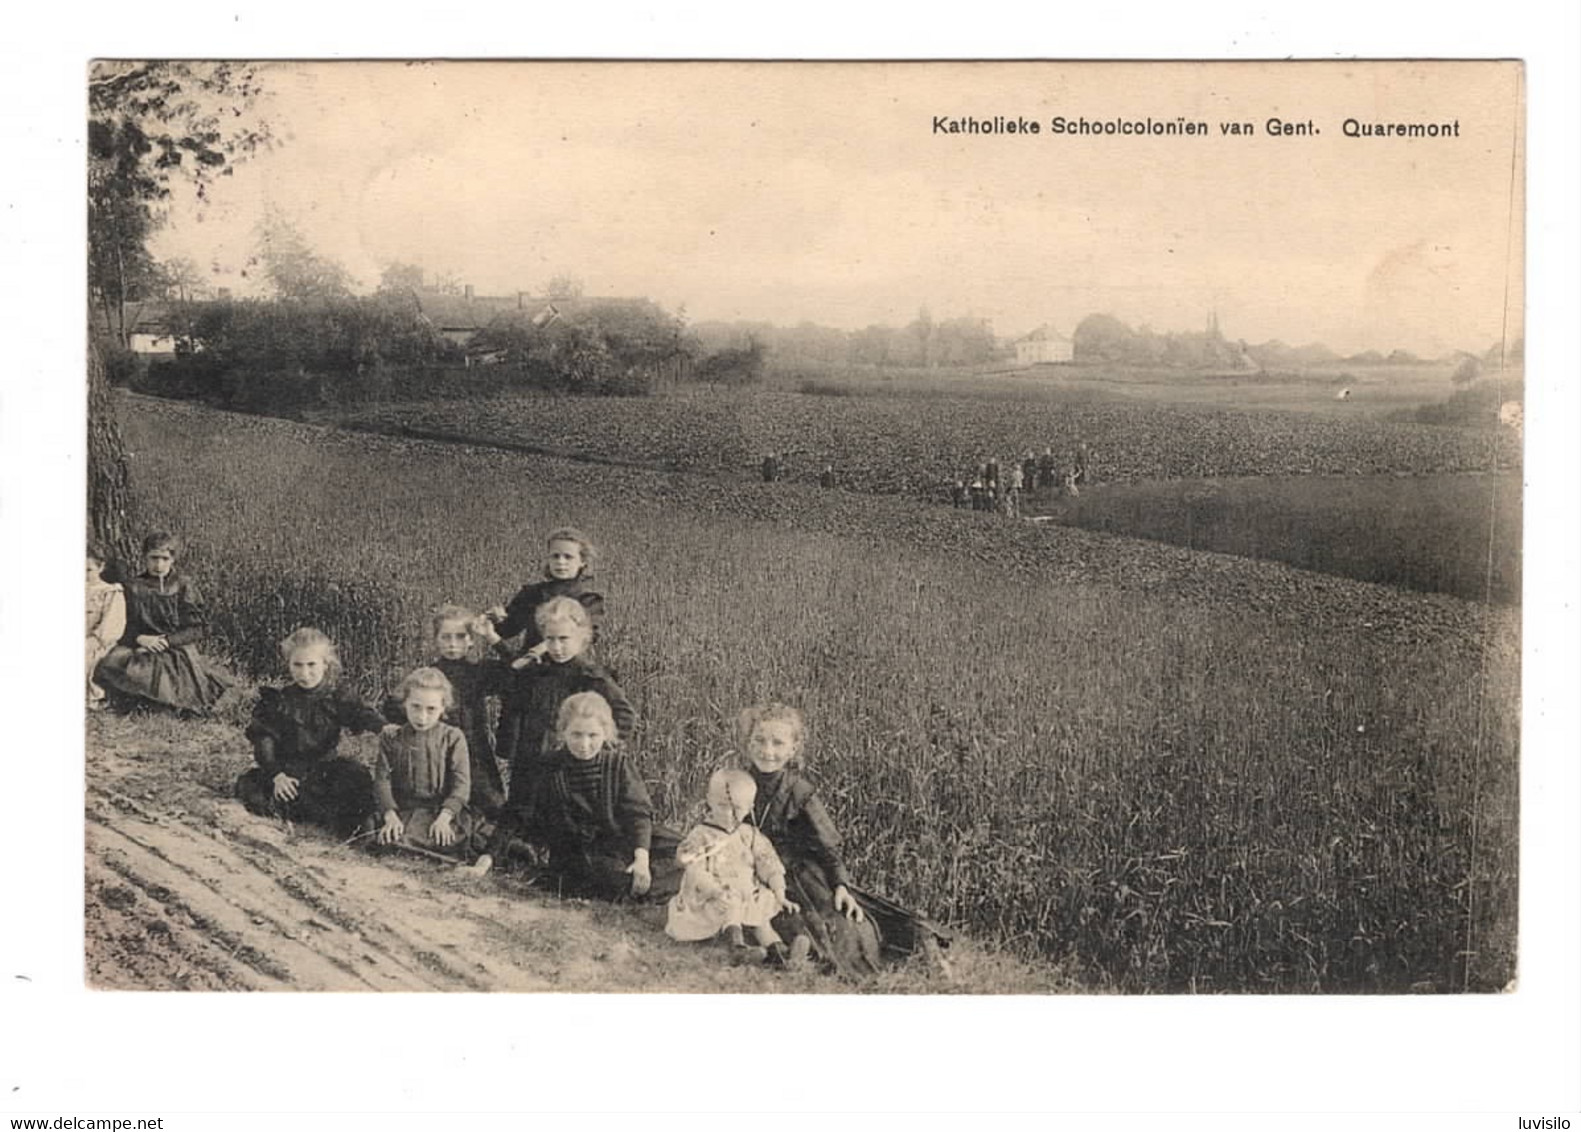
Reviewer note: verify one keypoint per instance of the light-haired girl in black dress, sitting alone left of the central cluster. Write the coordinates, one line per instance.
(296, 738)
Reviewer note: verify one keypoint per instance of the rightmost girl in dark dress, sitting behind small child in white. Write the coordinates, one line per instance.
(845, 927)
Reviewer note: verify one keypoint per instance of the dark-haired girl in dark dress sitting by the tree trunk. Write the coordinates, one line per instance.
(157, 658)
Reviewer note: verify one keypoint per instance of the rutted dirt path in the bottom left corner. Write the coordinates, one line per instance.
(187, 891)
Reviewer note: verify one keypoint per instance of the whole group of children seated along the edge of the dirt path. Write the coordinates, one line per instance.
(763, 870)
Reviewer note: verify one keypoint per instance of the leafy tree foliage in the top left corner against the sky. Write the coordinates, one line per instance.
(151, 124)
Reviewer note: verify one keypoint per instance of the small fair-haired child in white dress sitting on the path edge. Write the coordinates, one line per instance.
(734, 878)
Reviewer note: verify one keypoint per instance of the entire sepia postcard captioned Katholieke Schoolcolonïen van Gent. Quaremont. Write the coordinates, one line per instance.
(913, 529)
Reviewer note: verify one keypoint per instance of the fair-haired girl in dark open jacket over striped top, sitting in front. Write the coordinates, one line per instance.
(594, 813)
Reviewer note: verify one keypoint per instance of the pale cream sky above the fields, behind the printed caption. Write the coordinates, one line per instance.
(823, 192)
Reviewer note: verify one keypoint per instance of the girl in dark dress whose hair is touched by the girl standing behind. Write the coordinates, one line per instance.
(458, 641)
